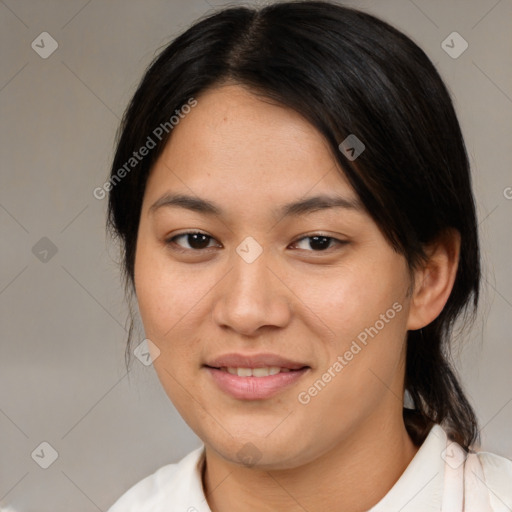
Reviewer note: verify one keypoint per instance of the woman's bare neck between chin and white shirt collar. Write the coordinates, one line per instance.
(358, 472)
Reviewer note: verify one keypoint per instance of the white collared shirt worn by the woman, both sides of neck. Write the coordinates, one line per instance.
(440, 477)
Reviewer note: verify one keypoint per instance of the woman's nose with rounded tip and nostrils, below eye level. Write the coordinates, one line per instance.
(252, 297)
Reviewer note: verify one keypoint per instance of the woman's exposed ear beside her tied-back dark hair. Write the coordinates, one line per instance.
(433, 282)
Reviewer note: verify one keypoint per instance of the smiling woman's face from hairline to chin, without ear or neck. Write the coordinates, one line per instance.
(278, 326)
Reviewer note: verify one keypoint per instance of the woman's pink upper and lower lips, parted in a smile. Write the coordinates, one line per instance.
(254, 388)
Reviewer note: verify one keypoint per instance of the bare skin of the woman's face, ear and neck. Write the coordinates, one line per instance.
(348, 445)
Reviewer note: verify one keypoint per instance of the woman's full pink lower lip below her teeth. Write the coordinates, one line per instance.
(254, 388)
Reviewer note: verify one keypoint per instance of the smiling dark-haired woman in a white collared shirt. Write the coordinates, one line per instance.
(293, 199)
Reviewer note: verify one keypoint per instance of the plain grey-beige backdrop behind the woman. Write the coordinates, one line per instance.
(62, 374)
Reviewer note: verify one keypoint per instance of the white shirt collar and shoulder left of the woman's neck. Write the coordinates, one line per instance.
(167, 486)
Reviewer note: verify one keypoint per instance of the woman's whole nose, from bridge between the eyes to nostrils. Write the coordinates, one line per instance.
(252, 296)
